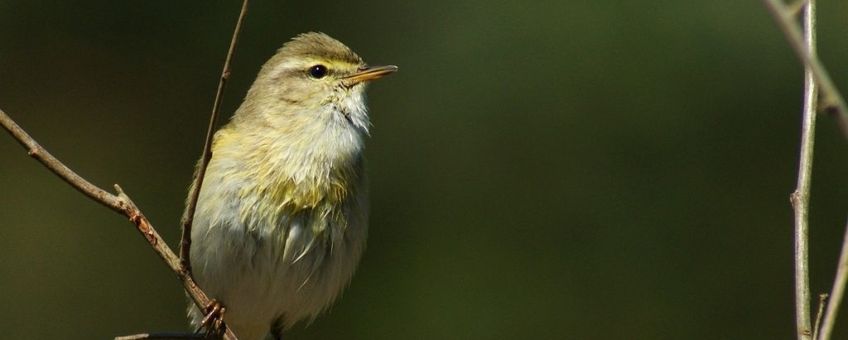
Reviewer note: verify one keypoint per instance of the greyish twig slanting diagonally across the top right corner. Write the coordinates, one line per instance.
(832, 100)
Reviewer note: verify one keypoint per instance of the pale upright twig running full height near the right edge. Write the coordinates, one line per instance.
(801, 197)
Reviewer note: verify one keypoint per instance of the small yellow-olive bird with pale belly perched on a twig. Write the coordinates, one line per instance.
(282, 215)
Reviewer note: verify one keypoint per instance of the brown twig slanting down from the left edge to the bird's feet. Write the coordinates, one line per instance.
(120, 203)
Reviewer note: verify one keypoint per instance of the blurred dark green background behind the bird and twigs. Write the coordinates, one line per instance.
(540, 170)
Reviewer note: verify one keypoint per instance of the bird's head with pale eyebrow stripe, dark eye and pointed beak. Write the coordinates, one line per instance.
(313, 79)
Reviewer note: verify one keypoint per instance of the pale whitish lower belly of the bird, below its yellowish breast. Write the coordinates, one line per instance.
(273, 277)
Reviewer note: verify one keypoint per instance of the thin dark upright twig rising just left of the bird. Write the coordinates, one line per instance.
(191, 204)
